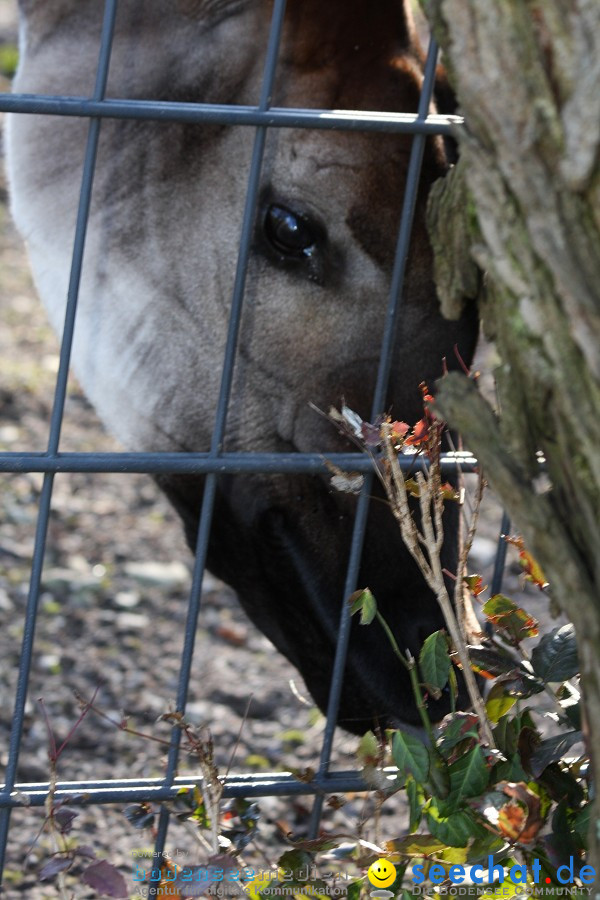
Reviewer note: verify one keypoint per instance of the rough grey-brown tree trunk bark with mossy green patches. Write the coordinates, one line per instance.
(523, 206)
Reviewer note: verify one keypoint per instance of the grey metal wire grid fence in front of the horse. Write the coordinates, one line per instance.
(214, 462)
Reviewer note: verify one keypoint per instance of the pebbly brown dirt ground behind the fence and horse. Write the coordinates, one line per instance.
(112, 615)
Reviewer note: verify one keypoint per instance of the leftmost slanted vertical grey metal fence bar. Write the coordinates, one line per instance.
(106, 38)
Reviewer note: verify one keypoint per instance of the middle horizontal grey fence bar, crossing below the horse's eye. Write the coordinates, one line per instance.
(224, 464)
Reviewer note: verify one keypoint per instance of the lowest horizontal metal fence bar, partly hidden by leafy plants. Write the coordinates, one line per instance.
(138, 790)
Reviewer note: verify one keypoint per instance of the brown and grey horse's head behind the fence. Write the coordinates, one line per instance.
(159, 268)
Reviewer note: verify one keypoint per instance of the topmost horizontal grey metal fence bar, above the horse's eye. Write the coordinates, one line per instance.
(216, 114)
